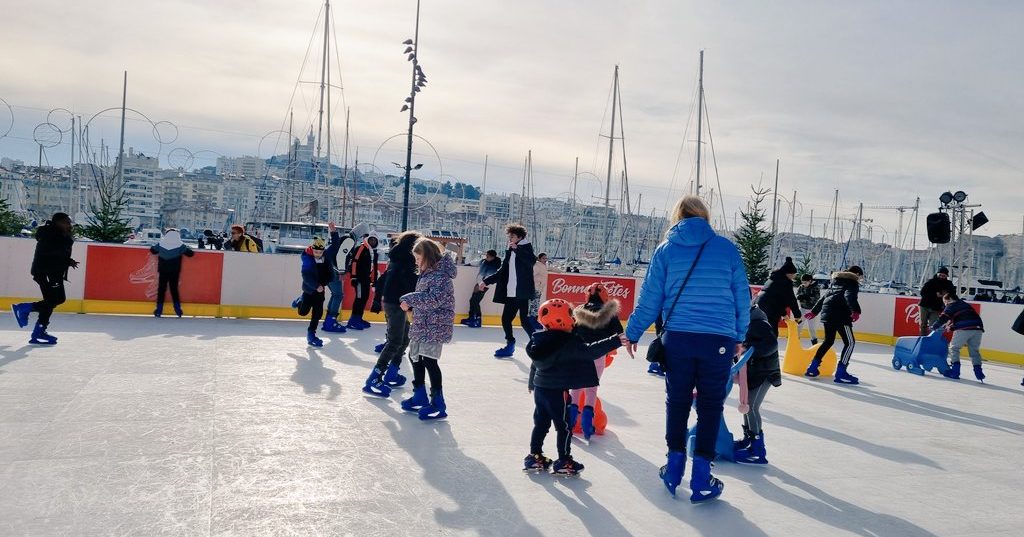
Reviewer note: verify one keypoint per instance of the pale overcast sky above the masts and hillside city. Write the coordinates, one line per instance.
(883, 101)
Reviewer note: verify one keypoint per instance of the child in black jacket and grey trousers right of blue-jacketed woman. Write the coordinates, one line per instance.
(763, 373)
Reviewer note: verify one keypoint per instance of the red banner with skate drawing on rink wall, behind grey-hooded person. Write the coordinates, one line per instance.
(124, 273)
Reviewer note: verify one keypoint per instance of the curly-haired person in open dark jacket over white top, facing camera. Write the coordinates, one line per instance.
(516, 285)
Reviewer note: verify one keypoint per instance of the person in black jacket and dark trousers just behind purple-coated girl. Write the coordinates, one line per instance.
(400, 279)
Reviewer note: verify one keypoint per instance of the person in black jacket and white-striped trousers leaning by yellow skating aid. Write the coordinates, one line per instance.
(839, 309)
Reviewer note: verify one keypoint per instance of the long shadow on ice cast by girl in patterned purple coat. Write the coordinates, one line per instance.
(484, 506)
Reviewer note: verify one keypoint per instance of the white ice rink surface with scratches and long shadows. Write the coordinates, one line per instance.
(214, 427)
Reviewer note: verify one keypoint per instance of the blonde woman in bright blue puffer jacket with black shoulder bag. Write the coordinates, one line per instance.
(702, 336)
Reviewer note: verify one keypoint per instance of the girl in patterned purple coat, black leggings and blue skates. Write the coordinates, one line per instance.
(433, 306)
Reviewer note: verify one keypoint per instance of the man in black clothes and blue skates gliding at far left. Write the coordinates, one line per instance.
(50, 270)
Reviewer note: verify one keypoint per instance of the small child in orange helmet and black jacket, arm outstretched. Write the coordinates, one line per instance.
(563, 361)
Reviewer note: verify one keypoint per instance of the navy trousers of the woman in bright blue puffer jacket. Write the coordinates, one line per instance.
(701, 361)
